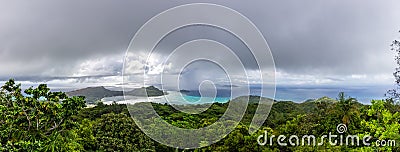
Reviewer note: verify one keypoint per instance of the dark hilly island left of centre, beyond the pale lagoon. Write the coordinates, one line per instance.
(94, 94)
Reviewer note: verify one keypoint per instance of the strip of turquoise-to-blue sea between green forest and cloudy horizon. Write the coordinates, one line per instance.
(289, 93)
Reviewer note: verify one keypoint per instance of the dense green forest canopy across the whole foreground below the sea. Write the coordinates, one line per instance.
(40, 120)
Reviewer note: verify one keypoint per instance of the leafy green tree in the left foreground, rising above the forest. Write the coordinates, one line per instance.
(40, 120)
